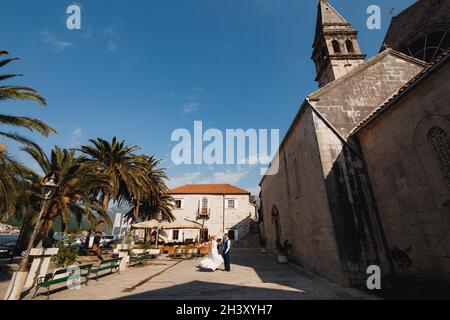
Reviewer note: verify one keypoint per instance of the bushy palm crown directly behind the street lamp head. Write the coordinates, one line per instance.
(75, 192)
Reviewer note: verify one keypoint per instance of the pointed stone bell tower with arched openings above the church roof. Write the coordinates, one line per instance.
(336, 48)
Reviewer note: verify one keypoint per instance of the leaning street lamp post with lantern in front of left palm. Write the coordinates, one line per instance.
(20, 276)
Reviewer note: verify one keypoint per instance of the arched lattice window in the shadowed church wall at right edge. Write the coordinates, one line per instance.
(440, 143)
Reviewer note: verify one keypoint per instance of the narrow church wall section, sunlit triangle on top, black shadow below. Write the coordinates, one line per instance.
(352, 208)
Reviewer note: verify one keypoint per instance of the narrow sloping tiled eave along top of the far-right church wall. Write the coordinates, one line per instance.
(443, 58)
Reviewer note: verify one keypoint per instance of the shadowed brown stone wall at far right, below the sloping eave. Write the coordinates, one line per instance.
(412, 194)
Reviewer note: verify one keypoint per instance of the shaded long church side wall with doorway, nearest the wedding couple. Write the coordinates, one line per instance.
(296, 198)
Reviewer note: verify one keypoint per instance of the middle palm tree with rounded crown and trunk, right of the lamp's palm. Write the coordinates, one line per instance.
(127, 173)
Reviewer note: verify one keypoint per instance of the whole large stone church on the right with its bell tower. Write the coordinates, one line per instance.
(364, 169)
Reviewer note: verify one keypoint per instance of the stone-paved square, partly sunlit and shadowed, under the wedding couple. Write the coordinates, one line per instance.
(253, 276)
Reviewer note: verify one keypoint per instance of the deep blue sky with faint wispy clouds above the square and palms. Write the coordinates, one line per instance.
(140, 69)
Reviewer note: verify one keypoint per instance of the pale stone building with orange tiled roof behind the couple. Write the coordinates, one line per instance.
(215, 209)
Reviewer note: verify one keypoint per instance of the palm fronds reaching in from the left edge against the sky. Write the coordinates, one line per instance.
(10, 169)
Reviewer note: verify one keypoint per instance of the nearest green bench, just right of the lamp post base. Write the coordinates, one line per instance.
(63, 275)
